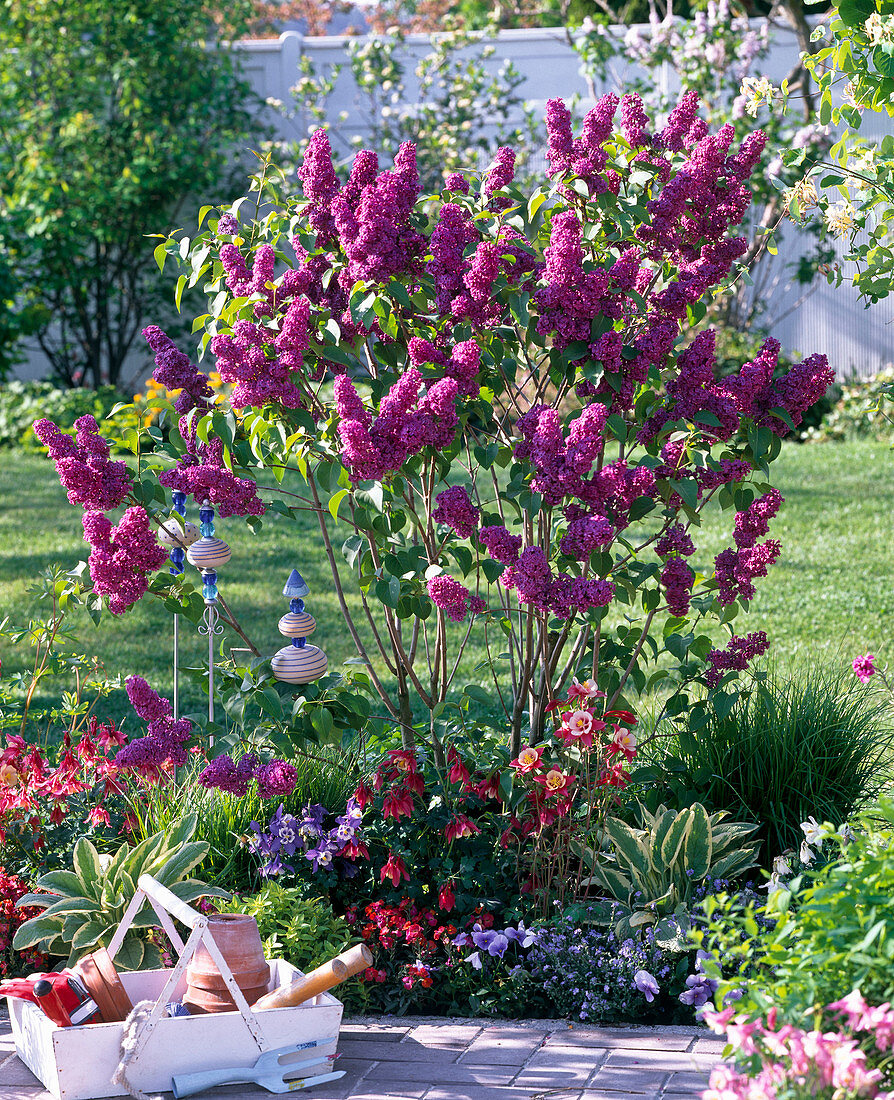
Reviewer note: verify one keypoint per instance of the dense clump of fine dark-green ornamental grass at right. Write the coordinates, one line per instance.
(816, 745)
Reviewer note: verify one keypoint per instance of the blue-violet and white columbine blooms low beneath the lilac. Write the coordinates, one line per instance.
(336, 849)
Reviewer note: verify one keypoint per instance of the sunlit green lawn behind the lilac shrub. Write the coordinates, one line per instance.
(829, 598)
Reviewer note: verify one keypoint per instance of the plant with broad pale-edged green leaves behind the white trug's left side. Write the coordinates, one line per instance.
(83, 908)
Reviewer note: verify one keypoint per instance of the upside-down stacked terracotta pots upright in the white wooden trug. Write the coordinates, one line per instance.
(239, 941)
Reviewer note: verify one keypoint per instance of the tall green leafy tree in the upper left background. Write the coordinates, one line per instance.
(112, 118)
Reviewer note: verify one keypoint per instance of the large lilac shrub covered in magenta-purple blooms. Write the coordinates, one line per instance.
(488, 402)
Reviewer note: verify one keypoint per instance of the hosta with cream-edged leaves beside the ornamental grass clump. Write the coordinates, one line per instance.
(653, 872)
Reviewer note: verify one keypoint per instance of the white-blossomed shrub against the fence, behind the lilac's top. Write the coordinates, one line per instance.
(452, 106)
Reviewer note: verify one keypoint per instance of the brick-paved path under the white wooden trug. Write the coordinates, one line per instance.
(480, 1061)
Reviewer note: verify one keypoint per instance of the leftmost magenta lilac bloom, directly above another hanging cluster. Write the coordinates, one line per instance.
(84, 467)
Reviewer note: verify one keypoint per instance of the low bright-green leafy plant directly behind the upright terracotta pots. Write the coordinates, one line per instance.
(303, 930)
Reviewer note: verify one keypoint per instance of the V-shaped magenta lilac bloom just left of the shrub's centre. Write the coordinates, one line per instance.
(405, 424)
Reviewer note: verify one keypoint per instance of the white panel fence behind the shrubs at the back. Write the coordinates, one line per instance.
(831, 321)
